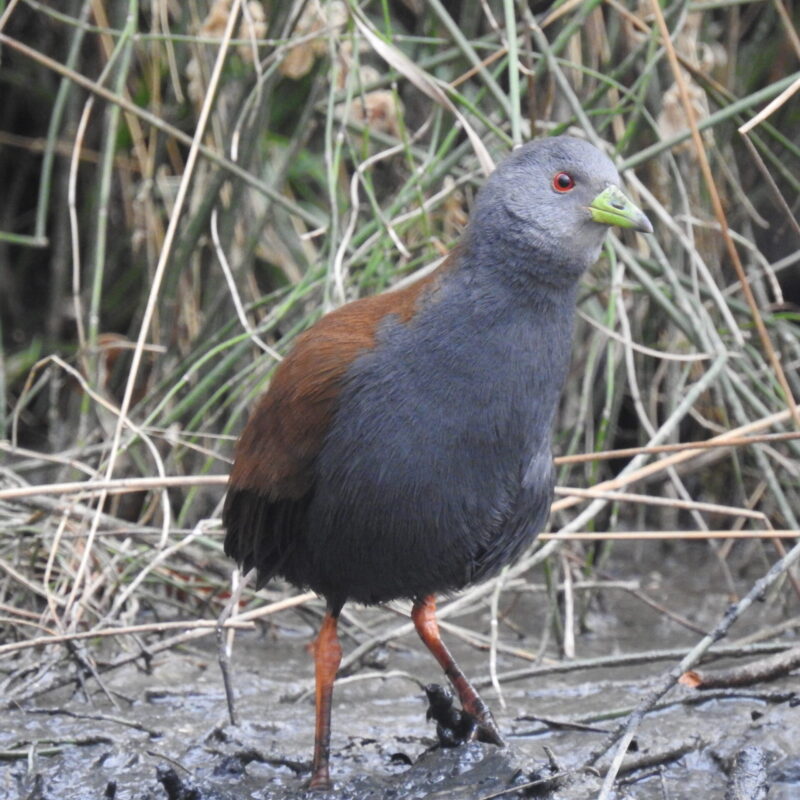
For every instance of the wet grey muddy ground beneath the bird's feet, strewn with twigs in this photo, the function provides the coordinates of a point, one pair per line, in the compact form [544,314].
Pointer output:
[169,735]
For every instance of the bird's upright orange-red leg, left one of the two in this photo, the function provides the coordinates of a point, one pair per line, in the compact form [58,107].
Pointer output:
[327,657]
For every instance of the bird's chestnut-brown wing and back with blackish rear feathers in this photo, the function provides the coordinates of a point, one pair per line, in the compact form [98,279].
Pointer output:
[272,479]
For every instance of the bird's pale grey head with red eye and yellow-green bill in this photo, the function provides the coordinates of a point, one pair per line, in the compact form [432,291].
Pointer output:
[552,200]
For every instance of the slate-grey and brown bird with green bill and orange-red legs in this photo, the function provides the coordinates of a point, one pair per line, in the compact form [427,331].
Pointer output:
[403,447]
